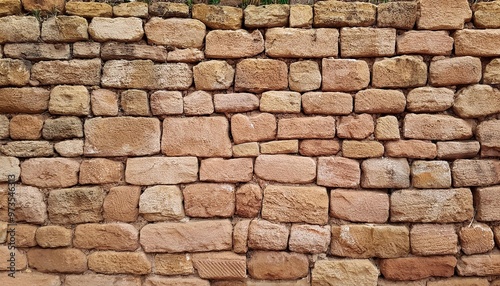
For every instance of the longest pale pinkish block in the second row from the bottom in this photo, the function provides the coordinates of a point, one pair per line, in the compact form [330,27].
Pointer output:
[199,236]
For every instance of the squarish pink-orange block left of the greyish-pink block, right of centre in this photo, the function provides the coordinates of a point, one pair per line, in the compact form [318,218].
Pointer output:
[338,172]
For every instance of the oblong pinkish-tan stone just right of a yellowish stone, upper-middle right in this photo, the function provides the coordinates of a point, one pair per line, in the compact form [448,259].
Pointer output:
[327,103]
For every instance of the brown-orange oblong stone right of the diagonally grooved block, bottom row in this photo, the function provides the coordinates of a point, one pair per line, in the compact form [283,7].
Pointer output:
[271,265]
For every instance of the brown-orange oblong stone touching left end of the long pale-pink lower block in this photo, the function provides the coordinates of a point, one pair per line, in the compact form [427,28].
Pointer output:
[111,236]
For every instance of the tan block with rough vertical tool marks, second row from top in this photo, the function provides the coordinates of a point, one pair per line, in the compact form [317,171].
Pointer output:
[367,42]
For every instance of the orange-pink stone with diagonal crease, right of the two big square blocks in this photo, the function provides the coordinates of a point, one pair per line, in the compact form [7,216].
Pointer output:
[259,127]
